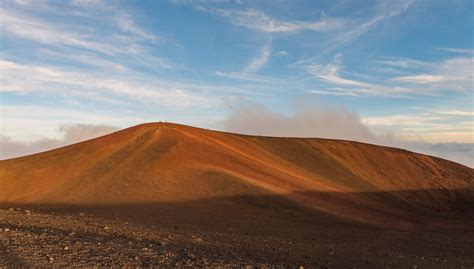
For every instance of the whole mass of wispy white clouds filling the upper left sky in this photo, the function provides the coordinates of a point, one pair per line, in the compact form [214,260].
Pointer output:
[114,56]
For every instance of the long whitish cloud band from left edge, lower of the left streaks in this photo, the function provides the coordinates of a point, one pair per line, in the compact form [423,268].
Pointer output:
[51,80]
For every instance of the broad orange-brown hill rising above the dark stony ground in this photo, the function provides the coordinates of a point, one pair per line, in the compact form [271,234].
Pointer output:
[164,162]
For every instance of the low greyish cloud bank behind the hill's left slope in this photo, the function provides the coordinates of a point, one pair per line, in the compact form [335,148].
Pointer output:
[71,133]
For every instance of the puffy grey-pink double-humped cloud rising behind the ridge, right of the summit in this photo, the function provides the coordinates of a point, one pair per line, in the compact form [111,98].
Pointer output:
[307,121]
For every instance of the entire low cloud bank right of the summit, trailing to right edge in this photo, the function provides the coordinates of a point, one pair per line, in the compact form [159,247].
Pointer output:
[328,122]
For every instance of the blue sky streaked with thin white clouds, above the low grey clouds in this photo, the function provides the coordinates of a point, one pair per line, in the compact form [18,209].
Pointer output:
[403,68]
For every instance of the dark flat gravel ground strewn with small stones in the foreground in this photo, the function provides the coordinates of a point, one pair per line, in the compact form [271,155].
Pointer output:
[48,238]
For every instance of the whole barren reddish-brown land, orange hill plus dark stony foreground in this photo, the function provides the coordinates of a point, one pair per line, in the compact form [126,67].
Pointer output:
[168,194]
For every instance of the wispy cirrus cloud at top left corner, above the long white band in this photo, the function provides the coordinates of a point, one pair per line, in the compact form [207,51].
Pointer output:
[126,42]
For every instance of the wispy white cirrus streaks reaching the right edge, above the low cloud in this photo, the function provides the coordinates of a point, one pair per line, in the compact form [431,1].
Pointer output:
[453,74]
